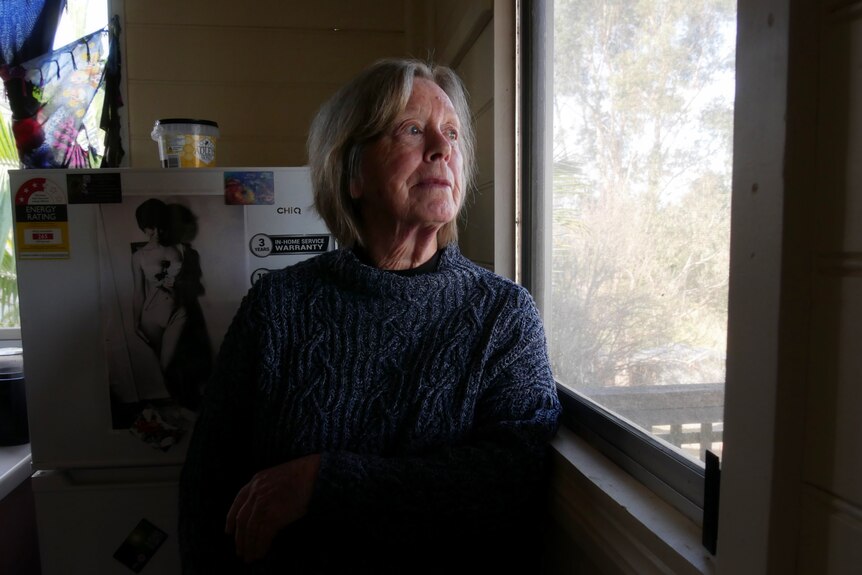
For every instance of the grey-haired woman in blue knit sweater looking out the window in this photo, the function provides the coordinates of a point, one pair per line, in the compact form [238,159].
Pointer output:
[385,407]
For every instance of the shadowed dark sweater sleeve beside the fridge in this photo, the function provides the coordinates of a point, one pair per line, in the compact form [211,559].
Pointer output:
[217,462]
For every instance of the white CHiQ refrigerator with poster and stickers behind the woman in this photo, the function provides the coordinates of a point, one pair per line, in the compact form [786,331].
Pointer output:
[128,280]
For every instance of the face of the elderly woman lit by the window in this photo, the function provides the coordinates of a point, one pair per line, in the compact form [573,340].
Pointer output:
[411,175]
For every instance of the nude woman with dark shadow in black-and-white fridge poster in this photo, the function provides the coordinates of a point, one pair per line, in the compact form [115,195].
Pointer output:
[177,358]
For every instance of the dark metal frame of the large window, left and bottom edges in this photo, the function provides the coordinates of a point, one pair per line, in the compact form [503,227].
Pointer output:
[671,475]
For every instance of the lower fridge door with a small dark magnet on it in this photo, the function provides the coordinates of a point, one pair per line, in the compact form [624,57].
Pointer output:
[107,522]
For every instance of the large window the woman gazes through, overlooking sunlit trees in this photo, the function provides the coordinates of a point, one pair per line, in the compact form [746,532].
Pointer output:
[628,118]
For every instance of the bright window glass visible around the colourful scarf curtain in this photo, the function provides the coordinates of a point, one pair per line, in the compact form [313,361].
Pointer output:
[80,17]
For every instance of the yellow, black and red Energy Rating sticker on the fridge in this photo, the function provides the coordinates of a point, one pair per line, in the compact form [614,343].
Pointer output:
[41,220]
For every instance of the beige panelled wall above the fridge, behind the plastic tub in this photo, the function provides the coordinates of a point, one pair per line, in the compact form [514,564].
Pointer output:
[260,69]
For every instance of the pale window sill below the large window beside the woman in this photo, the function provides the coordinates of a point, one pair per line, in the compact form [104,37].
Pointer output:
[614,523]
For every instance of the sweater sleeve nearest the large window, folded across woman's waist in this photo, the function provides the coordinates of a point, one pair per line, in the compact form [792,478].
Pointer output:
[482,484]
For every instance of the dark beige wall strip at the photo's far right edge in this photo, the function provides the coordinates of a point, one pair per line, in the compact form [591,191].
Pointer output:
[831,481]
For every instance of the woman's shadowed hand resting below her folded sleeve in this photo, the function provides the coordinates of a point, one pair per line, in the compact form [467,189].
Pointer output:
[273,499]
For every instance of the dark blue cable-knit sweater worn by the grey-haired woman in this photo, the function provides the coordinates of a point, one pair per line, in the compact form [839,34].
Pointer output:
[430,398]
